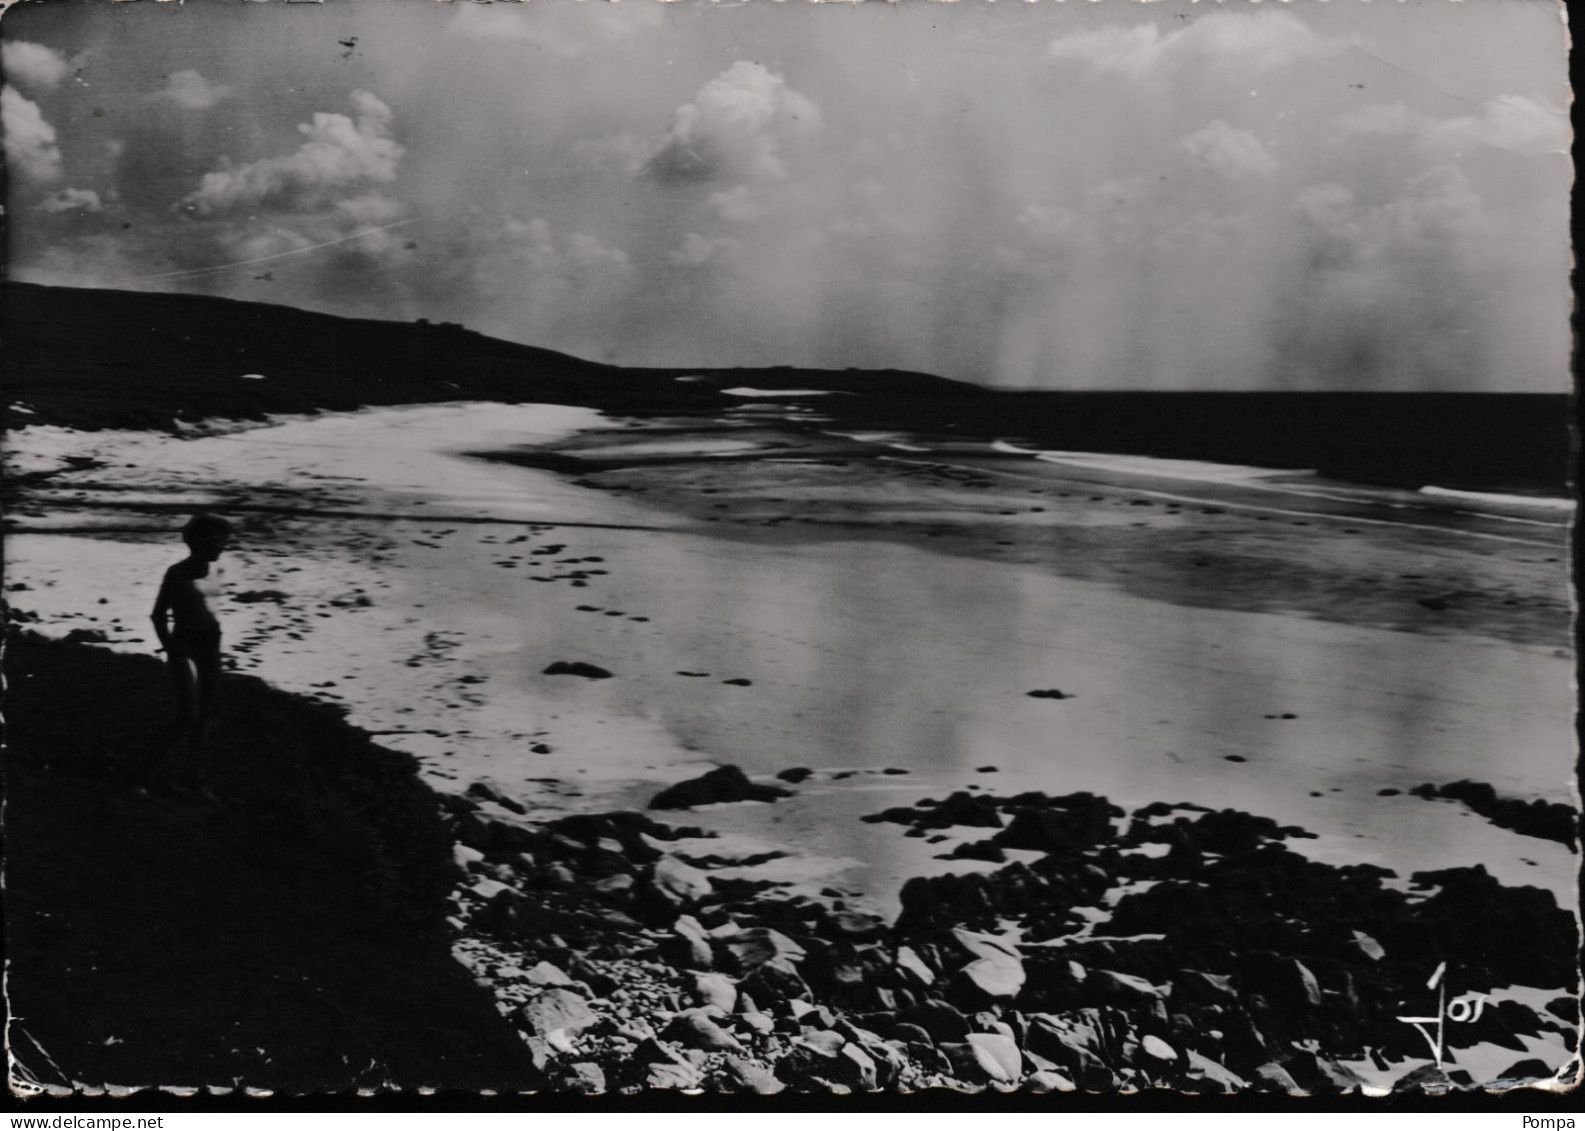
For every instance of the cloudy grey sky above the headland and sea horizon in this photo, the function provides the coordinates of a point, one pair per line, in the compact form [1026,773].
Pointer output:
[1307,196]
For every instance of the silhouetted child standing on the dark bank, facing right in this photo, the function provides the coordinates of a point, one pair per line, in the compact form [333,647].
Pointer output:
[191,636]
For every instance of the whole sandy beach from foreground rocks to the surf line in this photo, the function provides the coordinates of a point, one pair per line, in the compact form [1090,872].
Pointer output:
[885,614]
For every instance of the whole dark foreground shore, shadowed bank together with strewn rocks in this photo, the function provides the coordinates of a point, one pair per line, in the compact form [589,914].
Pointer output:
[1085,948]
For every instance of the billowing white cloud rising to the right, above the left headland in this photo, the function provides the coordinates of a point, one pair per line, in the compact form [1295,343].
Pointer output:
[340,156]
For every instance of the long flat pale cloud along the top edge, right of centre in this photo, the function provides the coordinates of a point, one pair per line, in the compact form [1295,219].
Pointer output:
[1269,40]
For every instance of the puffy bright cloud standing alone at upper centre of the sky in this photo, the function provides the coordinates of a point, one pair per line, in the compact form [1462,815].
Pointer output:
[738,128]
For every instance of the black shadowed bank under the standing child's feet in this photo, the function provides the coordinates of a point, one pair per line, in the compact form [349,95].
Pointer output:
[291,935]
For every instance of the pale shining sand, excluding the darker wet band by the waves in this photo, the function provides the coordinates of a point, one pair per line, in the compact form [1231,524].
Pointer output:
[861,653]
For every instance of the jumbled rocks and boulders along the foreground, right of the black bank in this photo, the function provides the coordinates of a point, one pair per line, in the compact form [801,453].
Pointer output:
[1172,948]
